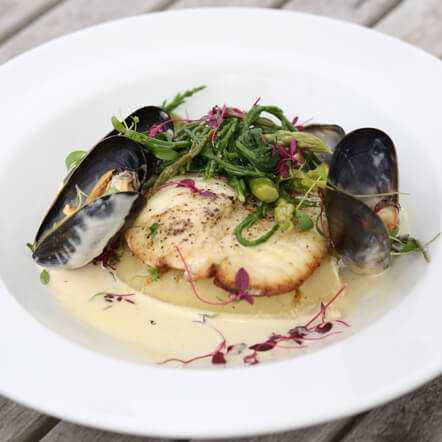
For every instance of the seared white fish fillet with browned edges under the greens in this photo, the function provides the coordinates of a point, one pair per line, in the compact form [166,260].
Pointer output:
[201,227]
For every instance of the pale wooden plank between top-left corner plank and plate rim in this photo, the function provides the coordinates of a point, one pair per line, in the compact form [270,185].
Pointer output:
[72,15]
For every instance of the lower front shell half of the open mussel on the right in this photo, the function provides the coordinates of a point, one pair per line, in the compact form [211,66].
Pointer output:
[357,233]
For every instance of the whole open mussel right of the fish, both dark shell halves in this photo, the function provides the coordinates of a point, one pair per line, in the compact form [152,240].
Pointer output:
[365,205]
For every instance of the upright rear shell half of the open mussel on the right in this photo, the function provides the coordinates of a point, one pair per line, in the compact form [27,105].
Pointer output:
[365,163]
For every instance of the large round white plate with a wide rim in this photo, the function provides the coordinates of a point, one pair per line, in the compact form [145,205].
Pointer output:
[60,96]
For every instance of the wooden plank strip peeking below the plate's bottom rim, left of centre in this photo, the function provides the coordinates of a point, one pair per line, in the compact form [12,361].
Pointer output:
[66,432]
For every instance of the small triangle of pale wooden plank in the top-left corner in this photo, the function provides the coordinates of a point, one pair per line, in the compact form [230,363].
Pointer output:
[16,14]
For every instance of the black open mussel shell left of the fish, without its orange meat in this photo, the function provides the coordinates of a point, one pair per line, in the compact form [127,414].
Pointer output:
[73,241]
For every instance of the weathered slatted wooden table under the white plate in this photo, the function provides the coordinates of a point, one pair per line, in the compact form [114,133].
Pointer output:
[27,23]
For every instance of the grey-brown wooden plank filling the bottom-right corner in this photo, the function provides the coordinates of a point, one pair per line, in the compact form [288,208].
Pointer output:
[415,417]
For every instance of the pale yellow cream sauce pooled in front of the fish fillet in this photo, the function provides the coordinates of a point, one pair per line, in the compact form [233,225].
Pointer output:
[163,319]
